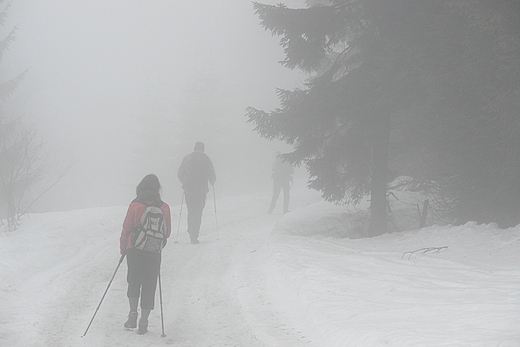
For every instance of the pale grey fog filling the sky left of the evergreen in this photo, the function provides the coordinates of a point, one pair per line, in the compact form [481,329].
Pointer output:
[114,88]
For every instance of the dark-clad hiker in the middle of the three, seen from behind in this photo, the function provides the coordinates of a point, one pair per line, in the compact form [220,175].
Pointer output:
[195,171]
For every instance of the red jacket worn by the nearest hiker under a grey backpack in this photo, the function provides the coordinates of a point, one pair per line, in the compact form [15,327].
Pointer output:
[133,218]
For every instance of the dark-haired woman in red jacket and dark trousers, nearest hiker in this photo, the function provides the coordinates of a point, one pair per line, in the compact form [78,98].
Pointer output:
[143,264]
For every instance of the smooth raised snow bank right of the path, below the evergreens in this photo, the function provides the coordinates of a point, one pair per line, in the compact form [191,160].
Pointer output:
[371,292]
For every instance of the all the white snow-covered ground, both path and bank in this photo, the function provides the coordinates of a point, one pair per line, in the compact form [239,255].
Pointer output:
[268,280]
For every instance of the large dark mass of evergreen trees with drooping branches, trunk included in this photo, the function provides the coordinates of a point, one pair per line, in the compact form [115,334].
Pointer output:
[427,88]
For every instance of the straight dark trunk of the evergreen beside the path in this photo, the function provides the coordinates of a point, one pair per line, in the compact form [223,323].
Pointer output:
[378,214]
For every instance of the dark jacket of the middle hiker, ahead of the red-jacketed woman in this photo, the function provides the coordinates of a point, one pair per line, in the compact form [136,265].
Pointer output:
[195,171]
